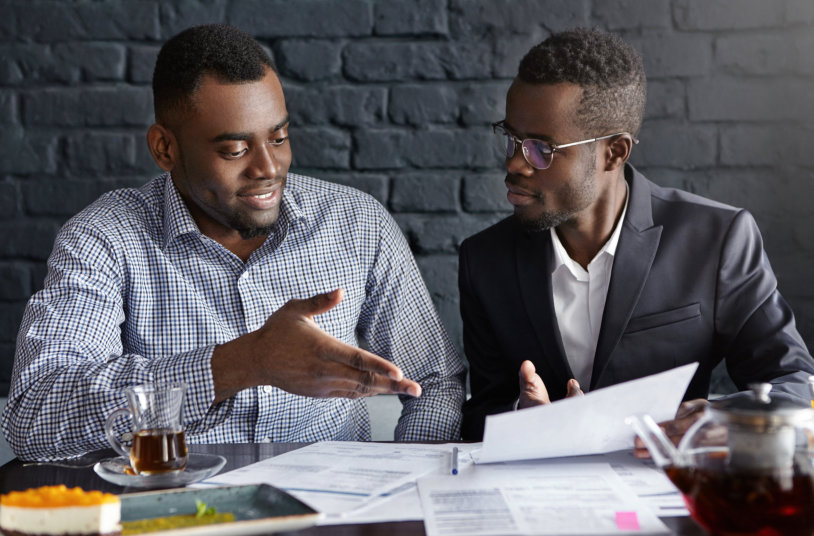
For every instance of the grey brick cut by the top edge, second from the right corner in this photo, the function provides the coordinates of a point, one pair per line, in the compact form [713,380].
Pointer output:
[726,14]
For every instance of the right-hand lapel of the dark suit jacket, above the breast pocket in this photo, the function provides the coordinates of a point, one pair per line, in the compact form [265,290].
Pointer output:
[638,244]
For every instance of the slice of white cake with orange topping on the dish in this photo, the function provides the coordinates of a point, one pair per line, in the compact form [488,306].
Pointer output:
[55,510]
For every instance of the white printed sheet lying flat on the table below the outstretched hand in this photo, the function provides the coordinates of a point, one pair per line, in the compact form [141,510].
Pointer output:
[353,482]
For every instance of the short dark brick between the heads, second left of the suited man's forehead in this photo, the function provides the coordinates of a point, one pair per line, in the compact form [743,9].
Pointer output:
[423,104]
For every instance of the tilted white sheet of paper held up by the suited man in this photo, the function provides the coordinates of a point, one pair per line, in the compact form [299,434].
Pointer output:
[589,424]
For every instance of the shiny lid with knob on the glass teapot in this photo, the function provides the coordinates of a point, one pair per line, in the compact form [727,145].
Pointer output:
[761,410]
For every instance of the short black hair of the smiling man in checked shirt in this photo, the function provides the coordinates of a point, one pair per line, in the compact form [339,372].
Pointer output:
[220,50]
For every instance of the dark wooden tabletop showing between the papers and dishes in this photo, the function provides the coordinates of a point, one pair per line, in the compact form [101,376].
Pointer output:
[17,475]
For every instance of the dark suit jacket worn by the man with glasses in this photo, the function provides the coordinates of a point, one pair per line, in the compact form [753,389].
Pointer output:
[690,282]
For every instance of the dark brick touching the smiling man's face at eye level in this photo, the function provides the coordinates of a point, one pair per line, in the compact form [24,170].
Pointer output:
[320,147]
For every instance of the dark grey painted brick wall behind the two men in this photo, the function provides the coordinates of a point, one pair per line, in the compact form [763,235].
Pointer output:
[395,97]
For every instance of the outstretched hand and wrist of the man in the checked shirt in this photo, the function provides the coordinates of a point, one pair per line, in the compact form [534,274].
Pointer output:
[291,352]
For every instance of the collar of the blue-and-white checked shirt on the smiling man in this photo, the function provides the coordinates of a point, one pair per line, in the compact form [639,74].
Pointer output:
[178,220]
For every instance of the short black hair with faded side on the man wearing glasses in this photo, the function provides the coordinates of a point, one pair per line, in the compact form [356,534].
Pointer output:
[609,71]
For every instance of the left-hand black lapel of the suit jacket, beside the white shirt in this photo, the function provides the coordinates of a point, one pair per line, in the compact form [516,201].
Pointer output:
[534,252]
